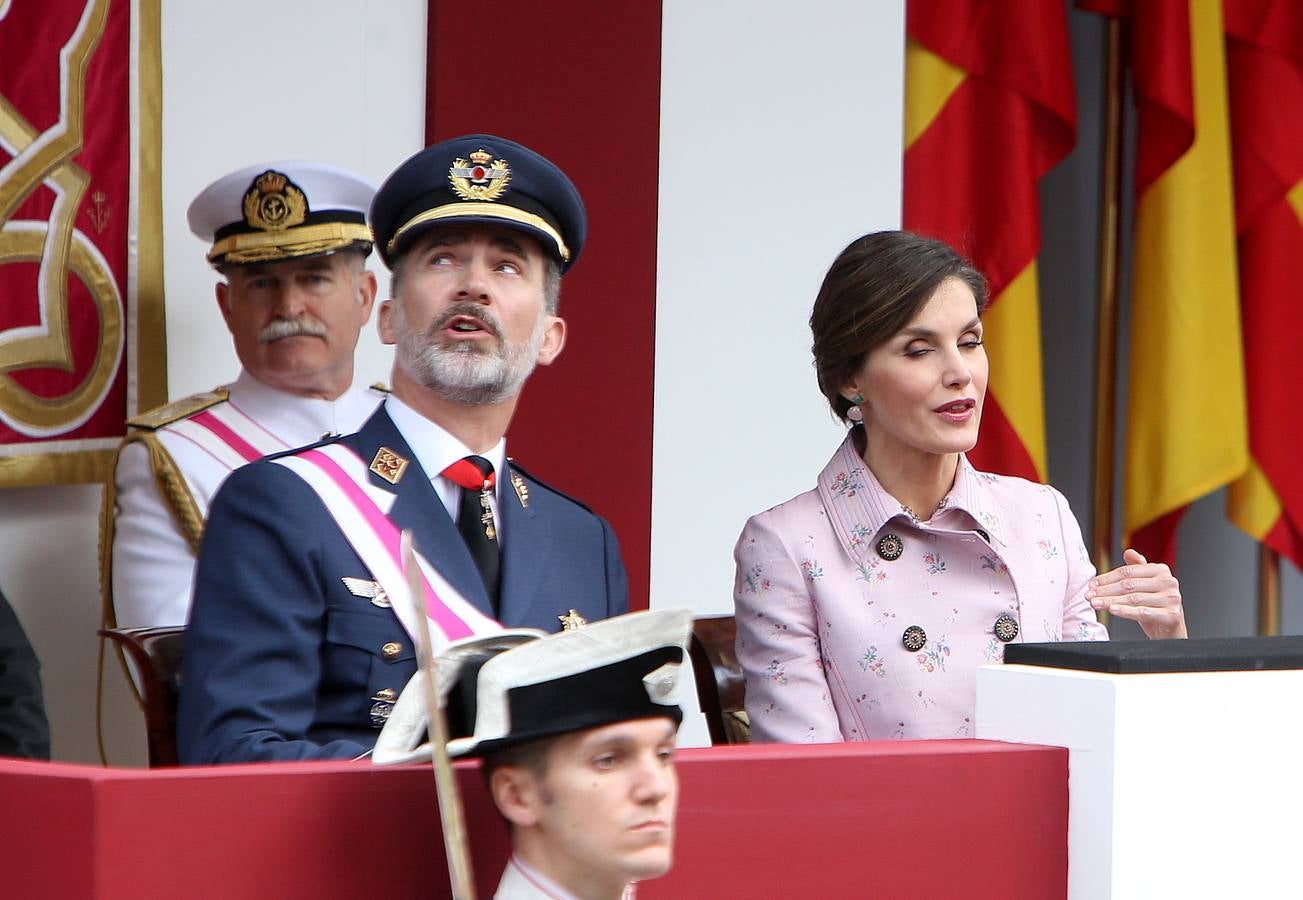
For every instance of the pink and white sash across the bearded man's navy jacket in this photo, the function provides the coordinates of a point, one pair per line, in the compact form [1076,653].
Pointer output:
[341,480]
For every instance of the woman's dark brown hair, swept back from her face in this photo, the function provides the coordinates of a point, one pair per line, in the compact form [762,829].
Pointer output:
[874,290]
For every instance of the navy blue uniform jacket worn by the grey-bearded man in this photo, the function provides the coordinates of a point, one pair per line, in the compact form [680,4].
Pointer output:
[283,662]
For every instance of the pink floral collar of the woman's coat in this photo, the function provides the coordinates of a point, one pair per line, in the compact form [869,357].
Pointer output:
[858,506]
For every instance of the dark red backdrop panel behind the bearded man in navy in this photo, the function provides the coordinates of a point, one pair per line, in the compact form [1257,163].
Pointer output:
[584,91]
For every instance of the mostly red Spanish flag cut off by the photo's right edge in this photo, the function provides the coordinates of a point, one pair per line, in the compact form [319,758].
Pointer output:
[1265,59]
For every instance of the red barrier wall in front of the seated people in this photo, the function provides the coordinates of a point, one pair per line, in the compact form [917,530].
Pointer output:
[893,820]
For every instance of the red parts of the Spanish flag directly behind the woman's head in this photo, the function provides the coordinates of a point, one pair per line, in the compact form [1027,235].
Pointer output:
[971,176]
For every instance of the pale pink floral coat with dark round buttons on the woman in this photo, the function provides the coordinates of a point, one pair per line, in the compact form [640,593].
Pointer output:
[857,622]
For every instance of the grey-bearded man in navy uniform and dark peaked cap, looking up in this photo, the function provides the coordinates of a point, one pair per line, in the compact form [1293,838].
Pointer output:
[295,649]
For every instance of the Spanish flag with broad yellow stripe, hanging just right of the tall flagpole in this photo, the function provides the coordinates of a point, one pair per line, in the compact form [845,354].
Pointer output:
[1188,432]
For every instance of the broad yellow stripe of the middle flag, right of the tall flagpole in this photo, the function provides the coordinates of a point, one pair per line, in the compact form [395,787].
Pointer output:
[1188,429]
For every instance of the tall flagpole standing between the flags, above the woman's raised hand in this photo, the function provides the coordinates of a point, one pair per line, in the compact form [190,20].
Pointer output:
[1111,277]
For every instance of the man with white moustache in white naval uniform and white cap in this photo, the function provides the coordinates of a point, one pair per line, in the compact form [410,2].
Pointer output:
[291,242]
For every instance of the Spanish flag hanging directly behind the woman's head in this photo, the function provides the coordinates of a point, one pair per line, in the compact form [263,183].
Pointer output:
[990,109]
